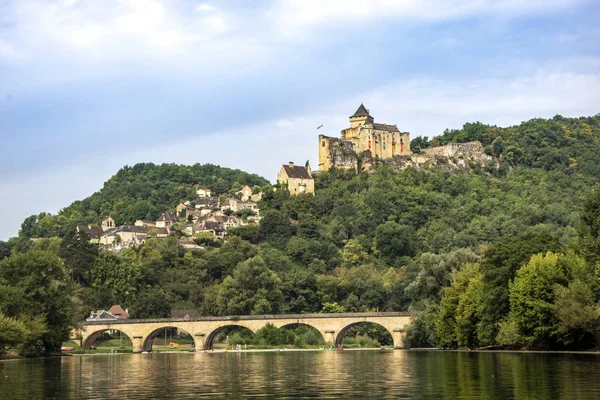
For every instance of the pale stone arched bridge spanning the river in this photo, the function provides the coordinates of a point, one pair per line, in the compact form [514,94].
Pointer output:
[204,330]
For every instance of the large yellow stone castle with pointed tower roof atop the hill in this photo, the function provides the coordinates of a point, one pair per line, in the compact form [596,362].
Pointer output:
[381,140]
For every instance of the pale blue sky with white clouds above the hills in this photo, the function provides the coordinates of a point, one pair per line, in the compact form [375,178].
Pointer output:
[88,86]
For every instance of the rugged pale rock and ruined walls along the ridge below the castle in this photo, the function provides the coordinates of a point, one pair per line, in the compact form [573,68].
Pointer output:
[454,157]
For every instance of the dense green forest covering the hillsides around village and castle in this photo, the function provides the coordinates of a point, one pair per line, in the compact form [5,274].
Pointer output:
[503,257]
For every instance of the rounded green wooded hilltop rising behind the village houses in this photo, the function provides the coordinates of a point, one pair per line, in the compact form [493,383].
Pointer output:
[143,191]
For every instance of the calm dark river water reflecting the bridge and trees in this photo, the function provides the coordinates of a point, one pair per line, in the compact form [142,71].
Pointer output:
[325,374]
